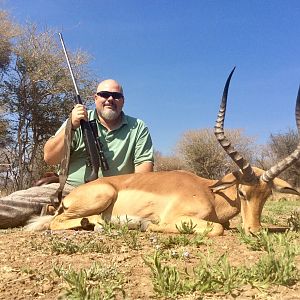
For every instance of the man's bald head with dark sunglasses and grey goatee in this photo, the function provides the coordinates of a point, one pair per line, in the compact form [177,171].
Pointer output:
[109,100]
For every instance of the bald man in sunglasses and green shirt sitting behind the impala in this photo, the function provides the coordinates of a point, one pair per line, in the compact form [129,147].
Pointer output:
[127,146]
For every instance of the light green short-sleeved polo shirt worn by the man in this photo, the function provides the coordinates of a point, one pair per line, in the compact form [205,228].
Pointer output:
[124,148]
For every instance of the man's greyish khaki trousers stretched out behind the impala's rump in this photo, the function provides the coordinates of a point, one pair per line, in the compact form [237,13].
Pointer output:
[17,208]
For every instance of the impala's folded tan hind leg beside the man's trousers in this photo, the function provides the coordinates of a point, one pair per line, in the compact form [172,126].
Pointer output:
[88,202]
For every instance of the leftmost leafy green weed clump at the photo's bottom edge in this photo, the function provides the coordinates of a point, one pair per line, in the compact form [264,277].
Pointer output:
[94,283]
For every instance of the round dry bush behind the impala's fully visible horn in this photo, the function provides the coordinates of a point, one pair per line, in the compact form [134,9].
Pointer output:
[202,154]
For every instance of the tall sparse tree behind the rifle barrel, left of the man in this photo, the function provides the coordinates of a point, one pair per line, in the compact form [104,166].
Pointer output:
[36,93]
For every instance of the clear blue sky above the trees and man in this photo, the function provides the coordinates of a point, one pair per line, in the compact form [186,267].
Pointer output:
[173,57]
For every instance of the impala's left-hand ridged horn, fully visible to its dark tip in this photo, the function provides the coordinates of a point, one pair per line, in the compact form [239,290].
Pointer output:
[245,167]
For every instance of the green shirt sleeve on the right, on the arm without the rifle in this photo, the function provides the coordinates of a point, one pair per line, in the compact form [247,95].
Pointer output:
[143,146]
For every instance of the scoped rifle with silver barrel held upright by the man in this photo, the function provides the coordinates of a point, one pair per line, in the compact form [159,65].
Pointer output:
[91,139]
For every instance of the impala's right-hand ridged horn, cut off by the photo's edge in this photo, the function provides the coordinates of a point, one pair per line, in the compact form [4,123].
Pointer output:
[289,160]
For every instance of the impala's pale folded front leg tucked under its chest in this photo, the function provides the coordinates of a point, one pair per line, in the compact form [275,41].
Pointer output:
[201,226]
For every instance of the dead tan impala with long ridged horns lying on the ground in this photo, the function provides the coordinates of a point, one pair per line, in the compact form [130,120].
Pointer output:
[161,201]
